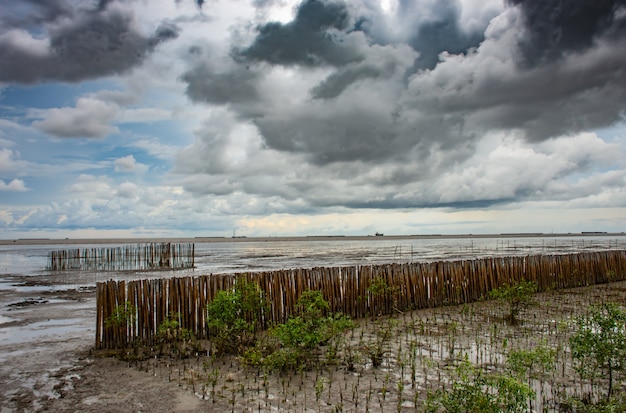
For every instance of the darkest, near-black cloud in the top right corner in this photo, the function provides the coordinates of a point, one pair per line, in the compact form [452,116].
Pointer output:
[556,27]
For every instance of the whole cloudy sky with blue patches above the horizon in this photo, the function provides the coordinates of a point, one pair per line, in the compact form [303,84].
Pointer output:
[153,118]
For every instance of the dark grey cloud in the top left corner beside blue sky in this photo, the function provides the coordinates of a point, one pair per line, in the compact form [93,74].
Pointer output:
[93,43]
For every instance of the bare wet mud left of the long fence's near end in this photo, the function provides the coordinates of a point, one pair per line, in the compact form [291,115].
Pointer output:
[47,362]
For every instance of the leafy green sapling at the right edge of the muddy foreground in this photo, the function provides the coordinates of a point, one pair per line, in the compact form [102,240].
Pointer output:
[599,343]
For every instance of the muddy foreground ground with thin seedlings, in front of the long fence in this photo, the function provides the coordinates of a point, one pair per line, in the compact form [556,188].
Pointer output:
[40,372]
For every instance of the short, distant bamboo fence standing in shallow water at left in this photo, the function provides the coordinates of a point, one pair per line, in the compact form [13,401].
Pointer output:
[153,256]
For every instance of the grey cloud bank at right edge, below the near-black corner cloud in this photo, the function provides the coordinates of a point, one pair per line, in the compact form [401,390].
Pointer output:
[557,98]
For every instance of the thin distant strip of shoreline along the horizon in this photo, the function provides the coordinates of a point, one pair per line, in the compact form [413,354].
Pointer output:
[139,240]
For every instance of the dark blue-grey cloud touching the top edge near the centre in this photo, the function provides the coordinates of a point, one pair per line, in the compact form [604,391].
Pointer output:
[307,41]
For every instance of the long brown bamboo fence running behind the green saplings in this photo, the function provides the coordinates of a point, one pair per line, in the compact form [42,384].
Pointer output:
[410,286]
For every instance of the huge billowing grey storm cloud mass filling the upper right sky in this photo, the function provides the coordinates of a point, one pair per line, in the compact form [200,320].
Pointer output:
[412,92]
